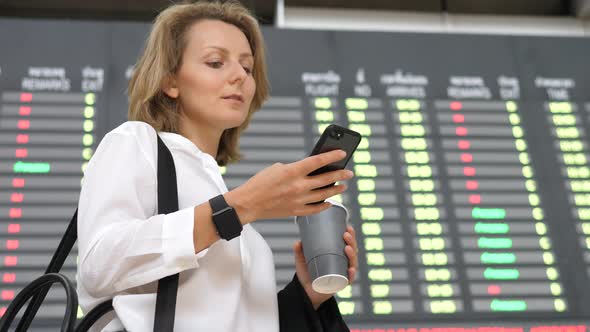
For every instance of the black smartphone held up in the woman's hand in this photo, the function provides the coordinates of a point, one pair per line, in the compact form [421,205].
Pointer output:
[335,137]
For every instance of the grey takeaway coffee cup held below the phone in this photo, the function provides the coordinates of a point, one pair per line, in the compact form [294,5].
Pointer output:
[323,247]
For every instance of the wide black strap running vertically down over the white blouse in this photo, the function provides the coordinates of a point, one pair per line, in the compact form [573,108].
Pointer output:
[167,203]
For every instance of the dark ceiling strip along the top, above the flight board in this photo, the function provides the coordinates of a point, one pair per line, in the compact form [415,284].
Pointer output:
[145,10]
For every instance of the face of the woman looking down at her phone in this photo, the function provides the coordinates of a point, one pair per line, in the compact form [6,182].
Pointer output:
[214,84]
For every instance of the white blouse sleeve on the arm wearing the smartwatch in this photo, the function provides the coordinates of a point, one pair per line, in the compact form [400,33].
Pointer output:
[123,242]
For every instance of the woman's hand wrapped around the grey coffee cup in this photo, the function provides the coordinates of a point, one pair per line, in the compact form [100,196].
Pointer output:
[350,249]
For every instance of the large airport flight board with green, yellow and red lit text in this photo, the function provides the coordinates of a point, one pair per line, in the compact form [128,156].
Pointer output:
[471,195]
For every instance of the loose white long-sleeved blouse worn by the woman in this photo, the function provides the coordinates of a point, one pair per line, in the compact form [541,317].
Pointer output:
[125,246]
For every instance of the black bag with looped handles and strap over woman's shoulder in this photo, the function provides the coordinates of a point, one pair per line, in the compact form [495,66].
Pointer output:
[38,289]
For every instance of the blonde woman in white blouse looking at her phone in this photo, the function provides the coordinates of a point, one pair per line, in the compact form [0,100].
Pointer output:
[201,77]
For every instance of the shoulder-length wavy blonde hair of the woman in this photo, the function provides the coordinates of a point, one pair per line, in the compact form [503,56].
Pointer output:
[162,57]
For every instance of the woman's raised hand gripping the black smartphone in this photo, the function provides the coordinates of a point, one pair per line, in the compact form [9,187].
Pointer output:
[284,190]
